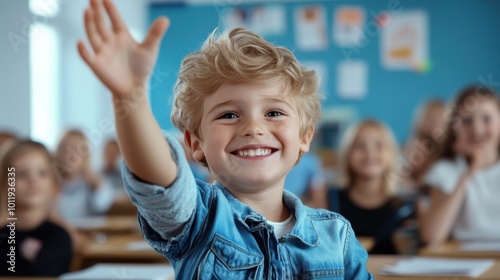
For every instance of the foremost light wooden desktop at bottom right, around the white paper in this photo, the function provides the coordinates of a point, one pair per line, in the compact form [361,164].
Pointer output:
[376,262]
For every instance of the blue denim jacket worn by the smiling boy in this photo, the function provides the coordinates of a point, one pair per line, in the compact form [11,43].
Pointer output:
[206,233]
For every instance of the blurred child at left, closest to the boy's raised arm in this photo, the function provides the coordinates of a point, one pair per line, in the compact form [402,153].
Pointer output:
[111,168]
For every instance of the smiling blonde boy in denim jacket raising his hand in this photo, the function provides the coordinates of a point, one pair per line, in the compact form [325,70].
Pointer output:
[247,110]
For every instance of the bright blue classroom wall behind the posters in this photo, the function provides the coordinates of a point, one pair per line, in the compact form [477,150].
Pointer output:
[464,49]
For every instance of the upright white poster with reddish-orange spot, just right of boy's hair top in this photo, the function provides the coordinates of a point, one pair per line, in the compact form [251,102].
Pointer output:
[310,28]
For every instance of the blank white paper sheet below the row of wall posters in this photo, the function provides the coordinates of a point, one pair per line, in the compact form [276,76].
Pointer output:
[352,79]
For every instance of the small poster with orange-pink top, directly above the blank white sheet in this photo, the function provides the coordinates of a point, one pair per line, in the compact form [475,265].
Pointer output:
[348,23]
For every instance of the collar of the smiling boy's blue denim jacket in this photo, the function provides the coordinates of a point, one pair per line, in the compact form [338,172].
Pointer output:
[303,229]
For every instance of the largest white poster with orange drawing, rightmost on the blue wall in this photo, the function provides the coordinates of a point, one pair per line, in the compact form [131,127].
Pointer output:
[405,41]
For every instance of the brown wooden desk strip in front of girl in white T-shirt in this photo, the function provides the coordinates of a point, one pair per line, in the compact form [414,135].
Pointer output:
[452,250]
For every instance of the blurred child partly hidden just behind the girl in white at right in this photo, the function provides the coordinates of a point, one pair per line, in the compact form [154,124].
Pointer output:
[421,150]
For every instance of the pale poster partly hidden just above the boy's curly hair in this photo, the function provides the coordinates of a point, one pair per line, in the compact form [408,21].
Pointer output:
[264,20]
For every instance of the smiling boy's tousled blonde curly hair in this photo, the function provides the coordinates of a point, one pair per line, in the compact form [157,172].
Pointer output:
[241,56]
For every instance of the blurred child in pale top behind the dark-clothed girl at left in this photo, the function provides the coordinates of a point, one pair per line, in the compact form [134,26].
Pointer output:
[83,192]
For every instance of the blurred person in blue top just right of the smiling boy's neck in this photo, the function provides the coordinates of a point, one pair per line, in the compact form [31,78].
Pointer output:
[307,181]
